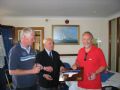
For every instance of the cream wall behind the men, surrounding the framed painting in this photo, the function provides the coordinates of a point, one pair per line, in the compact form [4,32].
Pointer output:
[98,26]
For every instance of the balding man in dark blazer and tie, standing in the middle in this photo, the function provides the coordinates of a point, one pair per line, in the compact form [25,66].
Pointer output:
[49,77]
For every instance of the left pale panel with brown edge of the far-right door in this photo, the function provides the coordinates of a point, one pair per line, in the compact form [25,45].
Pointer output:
[112,44]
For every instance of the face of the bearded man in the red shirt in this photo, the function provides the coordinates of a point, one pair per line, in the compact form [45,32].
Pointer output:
[87,40]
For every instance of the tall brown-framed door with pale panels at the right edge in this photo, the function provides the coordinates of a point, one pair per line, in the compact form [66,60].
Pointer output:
[114,45]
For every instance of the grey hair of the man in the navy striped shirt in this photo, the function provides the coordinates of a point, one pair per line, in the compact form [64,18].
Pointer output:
[26,32]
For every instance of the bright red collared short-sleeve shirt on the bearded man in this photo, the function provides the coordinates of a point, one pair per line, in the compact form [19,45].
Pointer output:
[94,60]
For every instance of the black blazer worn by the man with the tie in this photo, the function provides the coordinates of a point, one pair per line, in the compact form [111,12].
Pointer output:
[44,59]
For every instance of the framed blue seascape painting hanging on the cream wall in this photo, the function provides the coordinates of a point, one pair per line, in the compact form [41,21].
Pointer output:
[66,34]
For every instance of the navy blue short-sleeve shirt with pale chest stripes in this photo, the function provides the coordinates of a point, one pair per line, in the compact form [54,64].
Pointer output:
[20,58]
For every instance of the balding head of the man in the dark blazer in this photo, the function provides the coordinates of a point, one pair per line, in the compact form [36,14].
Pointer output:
[48,44]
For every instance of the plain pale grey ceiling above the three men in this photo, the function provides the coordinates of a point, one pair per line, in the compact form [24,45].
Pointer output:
[69,8]
